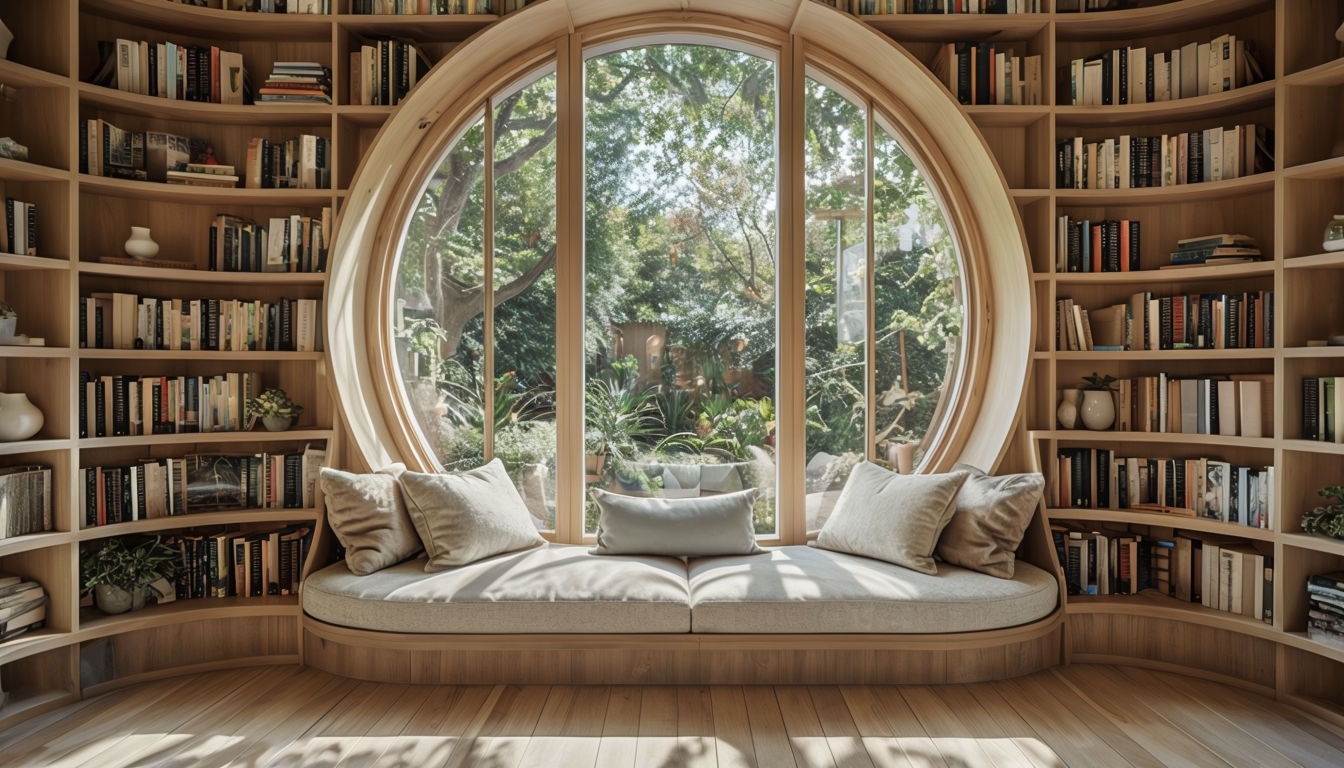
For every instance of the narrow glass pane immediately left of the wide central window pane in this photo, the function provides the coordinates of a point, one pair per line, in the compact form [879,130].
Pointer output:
[525,294]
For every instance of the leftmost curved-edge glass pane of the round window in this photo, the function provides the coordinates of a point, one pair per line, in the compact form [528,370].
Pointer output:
[437,330]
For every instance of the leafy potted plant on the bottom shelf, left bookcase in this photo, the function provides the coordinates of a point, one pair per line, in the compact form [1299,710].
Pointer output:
[122,572]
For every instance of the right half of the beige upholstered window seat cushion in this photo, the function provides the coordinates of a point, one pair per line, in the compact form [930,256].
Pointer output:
[807,590]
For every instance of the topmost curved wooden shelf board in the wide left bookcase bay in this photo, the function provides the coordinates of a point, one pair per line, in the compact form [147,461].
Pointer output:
[222,25]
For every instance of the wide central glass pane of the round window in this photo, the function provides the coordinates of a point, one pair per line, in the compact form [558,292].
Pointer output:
[681,274]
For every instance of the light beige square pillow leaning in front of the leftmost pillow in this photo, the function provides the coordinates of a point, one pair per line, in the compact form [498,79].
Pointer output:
[463,517]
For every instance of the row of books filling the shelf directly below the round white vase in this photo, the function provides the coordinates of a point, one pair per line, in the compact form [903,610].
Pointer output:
[131,322]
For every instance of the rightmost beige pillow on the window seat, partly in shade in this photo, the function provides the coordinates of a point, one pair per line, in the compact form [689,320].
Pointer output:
[991,519]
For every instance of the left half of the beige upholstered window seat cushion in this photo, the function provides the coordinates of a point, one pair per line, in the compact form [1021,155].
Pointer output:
[554,588]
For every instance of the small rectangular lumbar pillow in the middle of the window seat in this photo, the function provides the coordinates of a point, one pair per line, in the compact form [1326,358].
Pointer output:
[697,527]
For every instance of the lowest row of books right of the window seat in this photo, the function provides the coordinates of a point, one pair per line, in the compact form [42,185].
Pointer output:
[1217,572]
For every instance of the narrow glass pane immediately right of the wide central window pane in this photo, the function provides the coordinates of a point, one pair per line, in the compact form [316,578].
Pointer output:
[837,305]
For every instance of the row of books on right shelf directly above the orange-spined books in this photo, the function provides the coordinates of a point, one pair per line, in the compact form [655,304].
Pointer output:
[1163,161]
